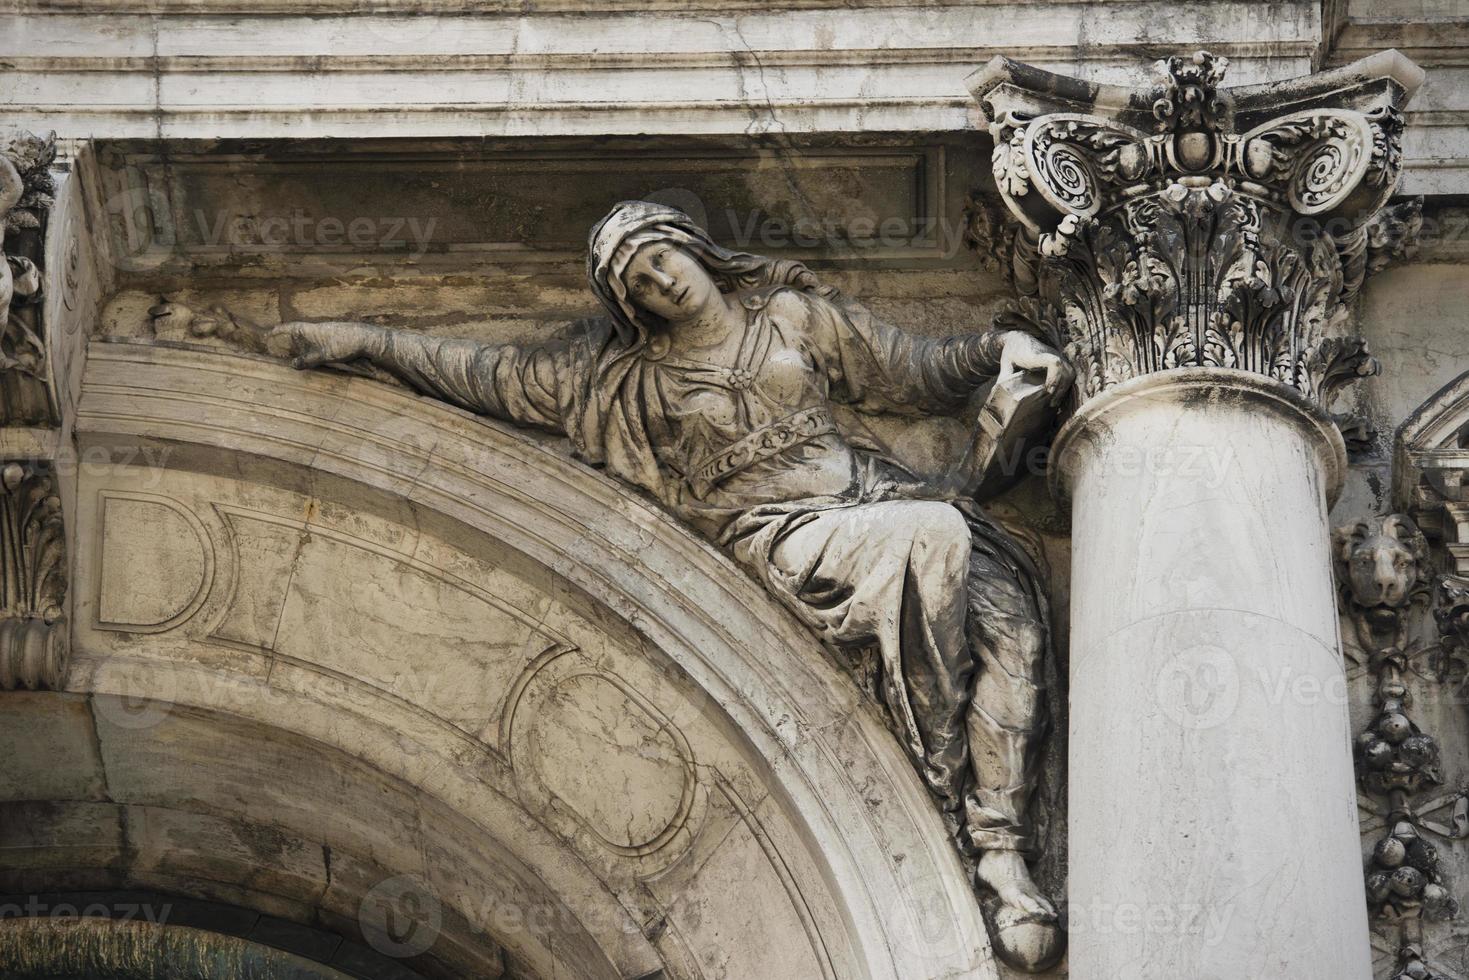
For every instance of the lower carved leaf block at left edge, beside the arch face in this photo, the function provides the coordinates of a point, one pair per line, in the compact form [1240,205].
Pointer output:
[33,580]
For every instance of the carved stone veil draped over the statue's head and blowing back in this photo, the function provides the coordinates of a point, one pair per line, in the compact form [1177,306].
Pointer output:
[632,226]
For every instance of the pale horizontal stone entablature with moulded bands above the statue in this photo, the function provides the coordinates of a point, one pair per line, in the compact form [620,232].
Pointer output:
[578,67]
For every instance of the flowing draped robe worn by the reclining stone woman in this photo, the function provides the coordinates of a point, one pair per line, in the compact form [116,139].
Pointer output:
[865,553]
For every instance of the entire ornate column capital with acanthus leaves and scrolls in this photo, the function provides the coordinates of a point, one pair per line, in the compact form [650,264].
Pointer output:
[1197,227]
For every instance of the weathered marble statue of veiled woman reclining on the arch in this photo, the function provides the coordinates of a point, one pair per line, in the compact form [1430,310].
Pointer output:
[710,384]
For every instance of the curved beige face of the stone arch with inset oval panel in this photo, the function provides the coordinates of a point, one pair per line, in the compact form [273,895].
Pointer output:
[687,744]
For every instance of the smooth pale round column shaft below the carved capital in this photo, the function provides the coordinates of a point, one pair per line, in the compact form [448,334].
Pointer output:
[1213,804]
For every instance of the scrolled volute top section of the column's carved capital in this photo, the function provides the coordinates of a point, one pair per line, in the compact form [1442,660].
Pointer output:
[1314,159]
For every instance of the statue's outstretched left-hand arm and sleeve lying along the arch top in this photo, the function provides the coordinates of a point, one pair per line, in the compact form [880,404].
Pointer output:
[527,386]
